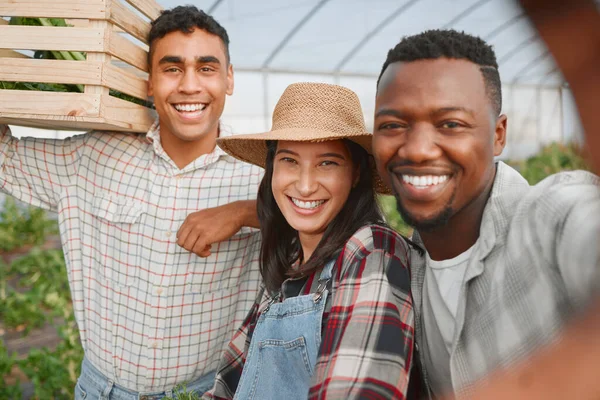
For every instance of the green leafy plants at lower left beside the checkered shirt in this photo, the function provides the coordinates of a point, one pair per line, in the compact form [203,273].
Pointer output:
[34,291]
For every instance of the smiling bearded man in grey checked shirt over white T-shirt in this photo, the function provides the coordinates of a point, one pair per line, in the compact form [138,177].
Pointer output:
[507,265]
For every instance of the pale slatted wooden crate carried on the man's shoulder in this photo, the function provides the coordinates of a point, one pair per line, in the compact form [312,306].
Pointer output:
[104,30]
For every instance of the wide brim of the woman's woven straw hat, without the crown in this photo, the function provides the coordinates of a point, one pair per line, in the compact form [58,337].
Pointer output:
[252,148]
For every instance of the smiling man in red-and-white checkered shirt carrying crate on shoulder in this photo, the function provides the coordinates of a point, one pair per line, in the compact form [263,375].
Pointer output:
[151,313]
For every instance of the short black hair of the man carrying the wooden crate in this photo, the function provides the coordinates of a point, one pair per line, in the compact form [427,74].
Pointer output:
[185,19]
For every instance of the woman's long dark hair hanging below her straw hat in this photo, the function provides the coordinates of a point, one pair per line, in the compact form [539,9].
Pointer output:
[280,242]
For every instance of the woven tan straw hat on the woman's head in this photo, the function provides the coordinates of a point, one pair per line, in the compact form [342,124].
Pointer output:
[308,112]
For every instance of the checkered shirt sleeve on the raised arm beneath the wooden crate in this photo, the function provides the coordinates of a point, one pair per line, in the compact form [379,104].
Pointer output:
[37,171]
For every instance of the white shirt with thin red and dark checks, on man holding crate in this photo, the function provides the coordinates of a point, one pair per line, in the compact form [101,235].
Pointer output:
[151,314]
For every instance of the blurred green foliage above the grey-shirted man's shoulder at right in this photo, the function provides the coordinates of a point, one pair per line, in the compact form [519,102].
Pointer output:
[553,158]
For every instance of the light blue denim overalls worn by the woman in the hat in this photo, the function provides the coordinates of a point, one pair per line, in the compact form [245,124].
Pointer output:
[284,347]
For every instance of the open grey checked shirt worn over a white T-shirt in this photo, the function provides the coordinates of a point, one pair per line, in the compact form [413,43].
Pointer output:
[535,266]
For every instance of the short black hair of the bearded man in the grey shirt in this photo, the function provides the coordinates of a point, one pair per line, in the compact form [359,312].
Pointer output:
[448,43]
